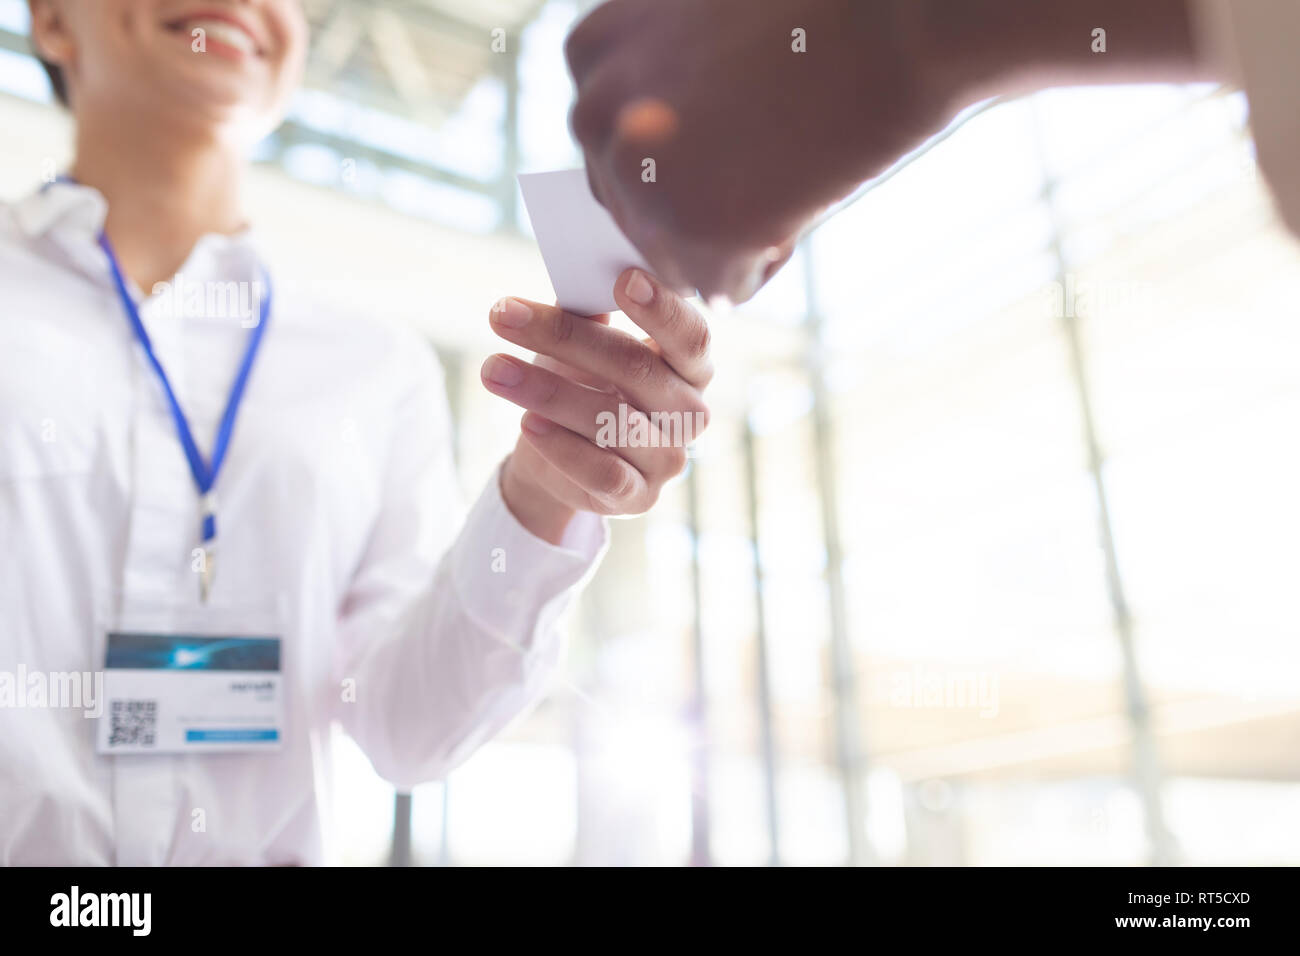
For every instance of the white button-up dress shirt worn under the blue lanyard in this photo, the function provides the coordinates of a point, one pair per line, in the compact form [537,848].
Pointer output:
[339,499]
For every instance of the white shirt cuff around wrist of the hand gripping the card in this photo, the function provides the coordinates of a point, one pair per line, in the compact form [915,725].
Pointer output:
[512,582]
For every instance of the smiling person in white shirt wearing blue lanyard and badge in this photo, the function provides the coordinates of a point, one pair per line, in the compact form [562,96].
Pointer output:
[272,495]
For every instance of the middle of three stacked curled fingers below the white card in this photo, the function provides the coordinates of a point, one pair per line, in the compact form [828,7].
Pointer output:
[592,416]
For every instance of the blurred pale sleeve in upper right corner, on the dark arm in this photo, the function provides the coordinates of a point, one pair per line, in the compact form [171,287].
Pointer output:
[1254,45]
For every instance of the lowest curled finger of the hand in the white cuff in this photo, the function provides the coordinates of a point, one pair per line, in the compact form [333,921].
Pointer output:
[613,486]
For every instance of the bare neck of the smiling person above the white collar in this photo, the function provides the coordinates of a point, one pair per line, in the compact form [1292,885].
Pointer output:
[164,193]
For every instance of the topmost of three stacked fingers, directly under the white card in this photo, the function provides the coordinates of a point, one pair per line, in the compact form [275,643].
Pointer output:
[600,352]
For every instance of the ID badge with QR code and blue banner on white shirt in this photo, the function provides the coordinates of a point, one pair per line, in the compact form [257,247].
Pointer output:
[187,680]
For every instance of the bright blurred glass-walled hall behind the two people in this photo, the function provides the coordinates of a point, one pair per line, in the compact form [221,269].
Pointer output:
[990,555]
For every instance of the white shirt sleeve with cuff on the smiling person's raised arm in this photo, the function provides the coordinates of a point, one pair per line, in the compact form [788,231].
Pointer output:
[444,639]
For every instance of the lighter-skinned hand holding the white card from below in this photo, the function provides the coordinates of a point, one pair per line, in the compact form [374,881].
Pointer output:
[574,453]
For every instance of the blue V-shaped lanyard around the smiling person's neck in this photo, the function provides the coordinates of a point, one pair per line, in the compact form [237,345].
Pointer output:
[205,473]
